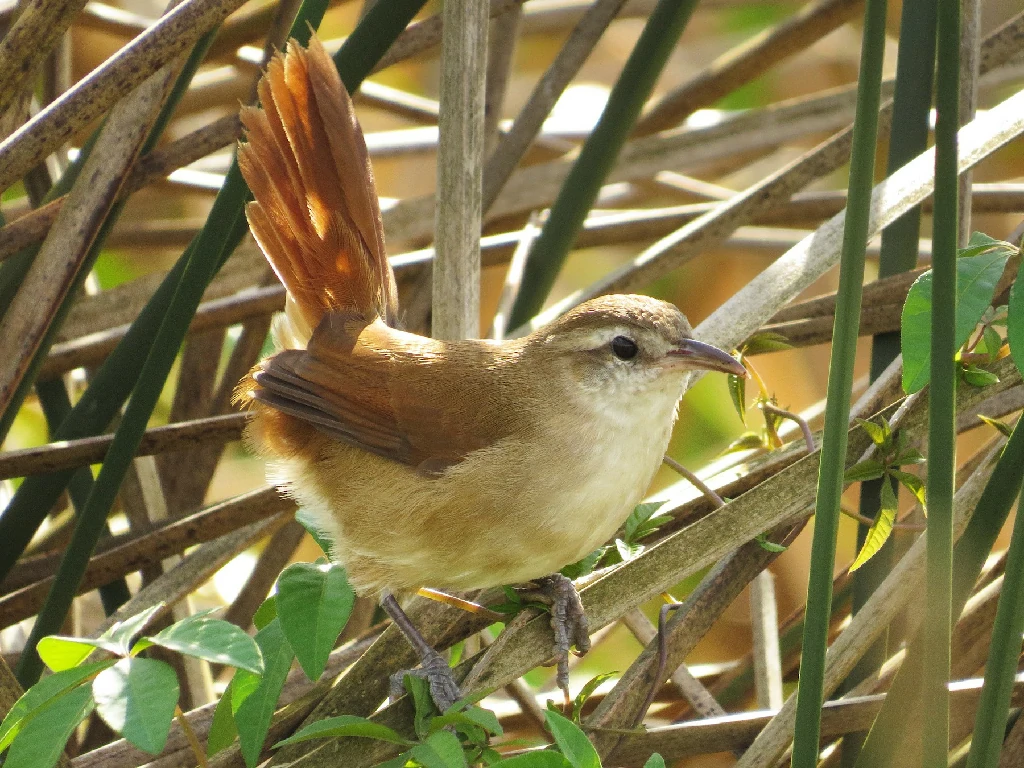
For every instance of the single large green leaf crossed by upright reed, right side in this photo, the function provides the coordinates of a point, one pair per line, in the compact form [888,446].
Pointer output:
[976,279]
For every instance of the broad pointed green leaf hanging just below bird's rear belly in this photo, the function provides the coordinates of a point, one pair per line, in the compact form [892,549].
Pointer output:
[314,604]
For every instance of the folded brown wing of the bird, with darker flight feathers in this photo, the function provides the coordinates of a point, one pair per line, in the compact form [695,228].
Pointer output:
[380,391]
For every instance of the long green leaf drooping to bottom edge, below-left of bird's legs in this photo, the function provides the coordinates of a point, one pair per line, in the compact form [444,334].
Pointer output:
[253,715]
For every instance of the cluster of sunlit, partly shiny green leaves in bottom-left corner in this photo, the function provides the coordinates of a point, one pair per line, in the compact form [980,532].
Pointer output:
[136,697]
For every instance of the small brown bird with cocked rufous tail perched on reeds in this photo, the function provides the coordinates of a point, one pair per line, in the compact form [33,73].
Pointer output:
[449,464]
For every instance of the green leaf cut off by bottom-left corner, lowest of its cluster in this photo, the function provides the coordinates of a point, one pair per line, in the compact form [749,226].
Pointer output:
[42,740]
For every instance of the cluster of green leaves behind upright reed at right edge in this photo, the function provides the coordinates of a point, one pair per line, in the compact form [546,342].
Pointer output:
[979,268]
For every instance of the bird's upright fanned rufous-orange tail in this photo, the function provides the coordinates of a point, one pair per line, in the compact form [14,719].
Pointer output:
[316,215]
